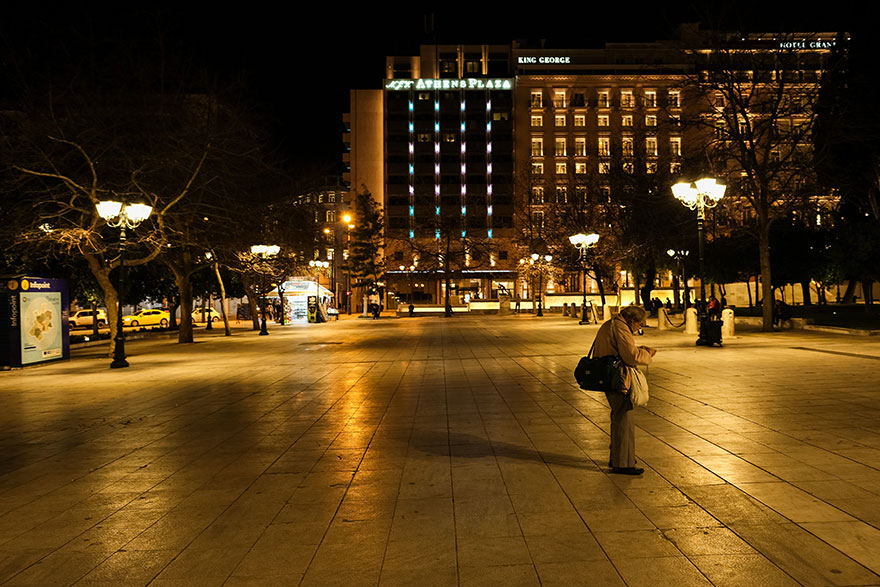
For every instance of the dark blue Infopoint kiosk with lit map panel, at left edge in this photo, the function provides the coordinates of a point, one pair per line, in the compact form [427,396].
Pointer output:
[34,313]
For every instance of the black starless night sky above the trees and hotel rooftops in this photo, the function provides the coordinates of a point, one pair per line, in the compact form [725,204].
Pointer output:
[294,65]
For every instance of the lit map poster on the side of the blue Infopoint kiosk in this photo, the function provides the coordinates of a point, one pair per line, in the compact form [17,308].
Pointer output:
[41,326]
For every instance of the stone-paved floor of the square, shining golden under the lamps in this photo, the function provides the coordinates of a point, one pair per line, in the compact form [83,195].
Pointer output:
[439,452]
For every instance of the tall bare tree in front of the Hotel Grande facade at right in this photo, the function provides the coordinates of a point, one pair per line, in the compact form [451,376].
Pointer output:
[753,101]
